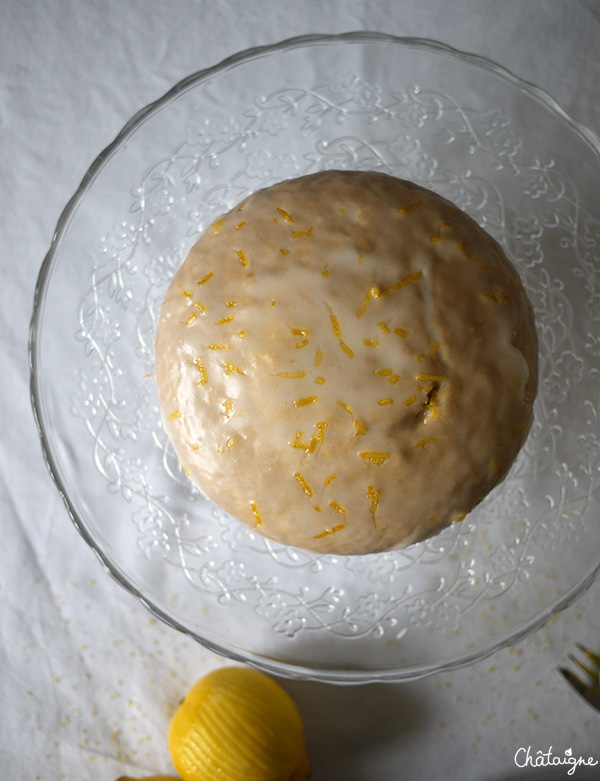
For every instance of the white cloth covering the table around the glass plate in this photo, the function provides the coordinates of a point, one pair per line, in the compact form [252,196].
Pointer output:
[88,678]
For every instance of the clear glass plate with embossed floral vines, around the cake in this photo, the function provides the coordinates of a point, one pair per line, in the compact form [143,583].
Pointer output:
[501,150]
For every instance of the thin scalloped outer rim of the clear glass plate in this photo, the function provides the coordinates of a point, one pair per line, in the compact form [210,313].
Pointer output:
[341,676]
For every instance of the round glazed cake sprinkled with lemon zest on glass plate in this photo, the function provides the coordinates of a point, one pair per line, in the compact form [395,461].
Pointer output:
[346,362]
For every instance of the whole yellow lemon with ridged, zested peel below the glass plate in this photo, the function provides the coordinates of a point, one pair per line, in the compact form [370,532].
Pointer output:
[238,724]
